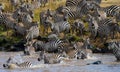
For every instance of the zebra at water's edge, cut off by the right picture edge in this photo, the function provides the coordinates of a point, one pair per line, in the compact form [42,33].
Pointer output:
[115,47]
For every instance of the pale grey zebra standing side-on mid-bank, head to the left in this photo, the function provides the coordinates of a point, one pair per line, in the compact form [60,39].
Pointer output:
[59,27]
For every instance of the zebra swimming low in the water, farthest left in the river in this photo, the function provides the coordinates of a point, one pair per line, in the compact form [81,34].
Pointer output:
[11,64]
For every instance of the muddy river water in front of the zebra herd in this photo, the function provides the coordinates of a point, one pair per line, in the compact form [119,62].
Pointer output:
[109,64]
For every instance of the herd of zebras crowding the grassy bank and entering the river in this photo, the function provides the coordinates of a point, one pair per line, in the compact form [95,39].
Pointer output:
[101,22]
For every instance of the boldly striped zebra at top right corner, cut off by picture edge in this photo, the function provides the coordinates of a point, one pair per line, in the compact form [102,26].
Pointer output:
[111,10]
